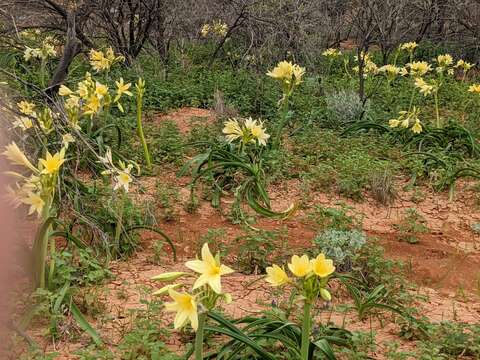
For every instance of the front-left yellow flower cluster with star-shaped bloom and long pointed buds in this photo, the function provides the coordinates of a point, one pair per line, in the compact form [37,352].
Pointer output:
[206,290]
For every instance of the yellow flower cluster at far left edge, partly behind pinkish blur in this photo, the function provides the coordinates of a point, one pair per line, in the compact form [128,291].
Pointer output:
[36,190]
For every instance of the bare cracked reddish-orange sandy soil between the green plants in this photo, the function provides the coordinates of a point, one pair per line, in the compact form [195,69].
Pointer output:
[445,263]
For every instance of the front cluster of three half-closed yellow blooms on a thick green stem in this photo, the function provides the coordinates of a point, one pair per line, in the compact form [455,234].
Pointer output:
[311,275]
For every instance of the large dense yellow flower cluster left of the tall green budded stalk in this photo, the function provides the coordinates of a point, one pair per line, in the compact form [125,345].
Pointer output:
[91,97]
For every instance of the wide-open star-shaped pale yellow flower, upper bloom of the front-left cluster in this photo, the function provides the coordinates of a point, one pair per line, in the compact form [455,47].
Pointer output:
[210,269]
